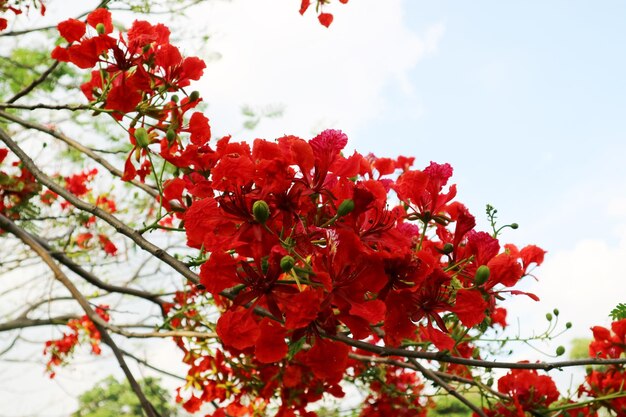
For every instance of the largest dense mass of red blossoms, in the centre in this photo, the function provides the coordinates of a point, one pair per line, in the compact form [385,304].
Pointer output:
[297,230]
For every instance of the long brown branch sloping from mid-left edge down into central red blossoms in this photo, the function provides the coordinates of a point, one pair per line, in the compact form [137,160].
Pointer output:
[116,223]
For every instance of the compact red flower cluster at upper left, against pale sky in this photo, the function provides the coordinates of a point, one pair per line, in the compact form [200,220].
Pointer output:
[138,69]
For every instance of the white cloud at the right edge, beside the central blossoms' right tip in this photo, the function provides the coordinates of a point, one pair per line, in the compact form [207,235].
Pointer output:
[584,278]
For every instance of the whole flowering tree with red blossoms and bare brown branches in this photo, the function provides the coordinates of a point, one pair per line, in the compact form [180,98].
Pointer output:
[302,270]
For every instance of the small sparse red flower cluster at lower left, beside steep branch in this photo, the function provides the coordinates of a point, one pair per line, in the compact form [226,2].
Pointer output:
[81,329]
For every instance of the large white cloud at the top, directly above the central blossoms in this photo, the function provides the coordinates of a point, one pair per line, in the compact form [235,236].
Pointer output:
[325,77]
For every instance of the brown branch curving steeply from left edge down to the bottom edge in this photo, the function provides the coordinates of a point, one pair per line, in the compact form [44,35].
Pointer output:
[100,324]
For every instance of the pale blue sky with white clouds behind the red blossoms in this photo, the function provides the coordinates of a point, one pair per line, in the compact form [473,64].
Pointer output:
[526,100]
